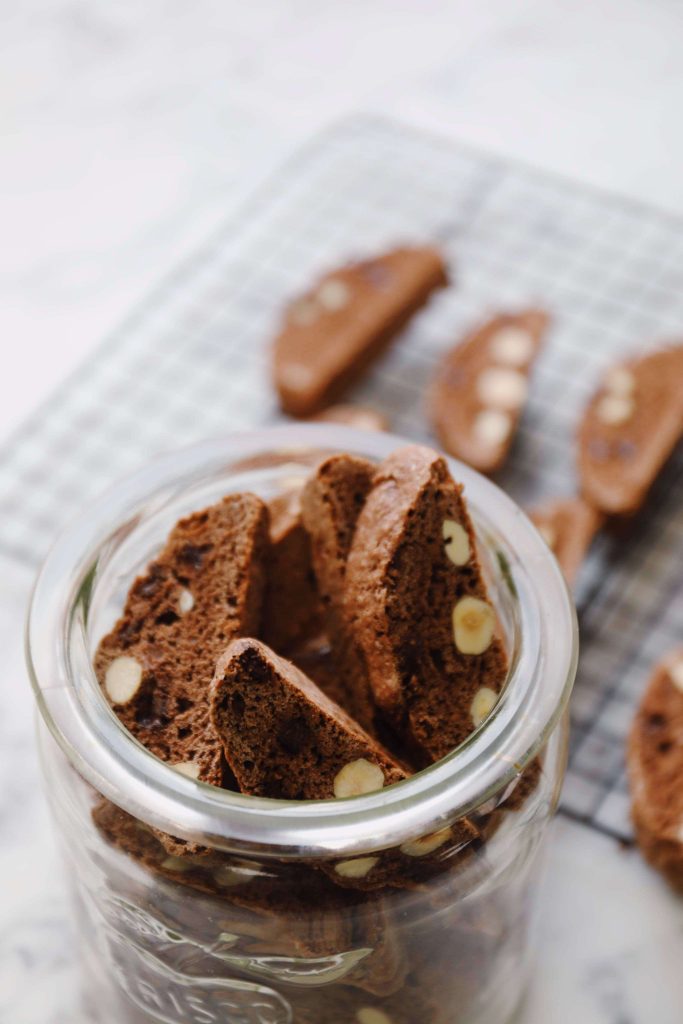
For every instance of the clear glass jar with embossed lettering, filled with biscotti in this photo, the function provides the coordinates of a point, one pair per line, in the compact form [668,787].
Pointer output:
[252,924]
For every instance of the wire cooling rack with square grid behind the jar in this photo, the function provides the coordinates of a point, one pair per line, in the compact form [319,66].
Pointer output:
[193,361]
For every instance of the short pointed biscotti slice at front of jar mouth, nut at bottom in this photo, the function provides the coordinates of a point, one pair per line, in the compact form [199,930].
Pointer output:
[283,738]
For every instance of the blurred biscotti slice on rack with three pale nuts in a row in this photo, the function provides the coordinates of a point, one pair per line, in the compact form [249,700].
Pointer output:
[482,386]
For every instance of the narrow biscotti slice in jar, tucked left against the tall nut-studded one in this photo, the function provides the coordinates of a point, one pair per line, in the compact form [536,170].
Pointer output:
[331,502]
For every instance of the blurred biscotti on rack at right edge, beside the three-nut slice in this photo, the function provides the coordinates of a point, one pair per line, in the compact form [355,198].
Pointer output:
[629,431]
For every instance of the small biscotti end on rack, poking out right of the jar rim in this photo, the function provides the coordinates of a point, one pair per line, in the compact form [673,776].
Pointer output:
[568,526]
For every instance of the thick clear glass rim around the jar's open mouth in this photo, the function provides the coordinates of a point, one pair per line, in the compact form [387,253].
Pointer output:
[110,758]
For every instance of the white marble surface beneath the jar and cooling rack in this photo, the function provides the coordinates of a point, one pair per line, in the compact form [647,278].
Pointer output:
[129,131]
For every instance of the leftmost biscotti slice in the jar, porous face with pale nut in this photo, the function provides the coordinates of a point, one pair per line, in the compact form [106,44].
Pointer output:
[204,589]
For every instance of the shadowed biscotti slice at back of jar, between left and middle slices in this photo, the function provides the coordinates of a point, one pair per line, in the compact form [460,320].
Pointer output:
[291,607]
